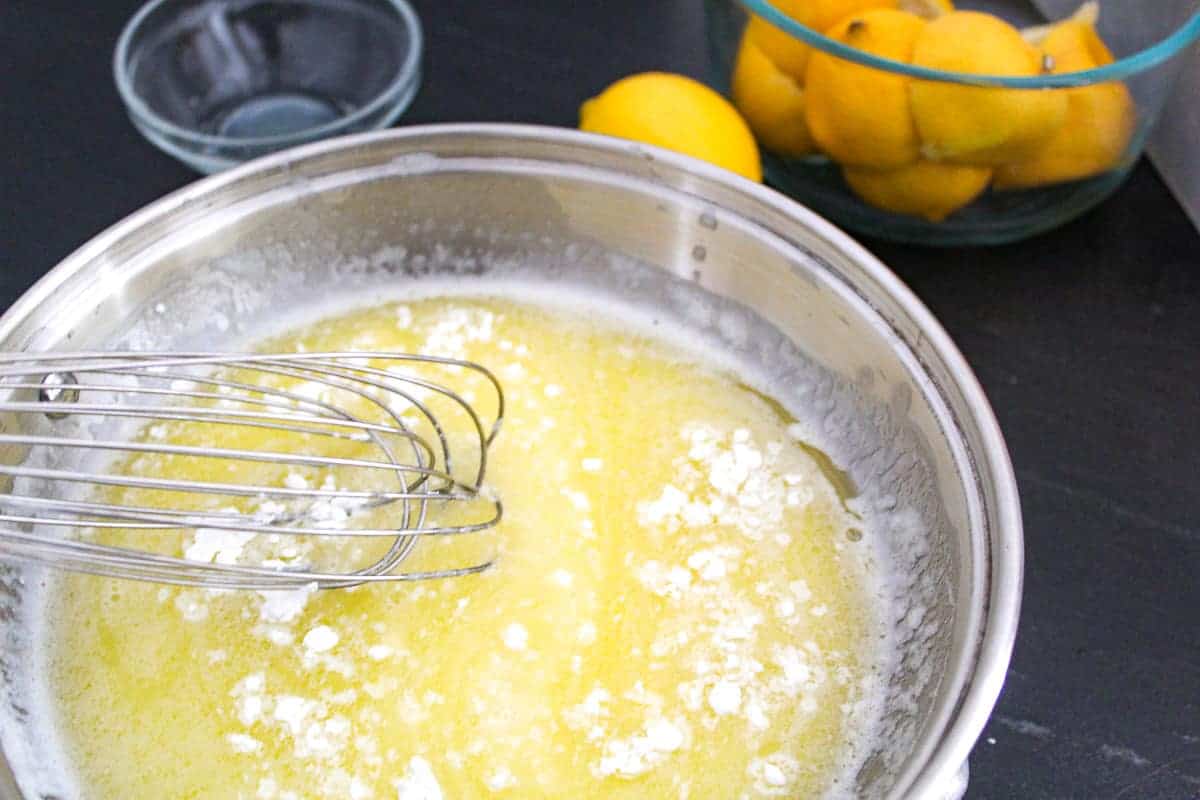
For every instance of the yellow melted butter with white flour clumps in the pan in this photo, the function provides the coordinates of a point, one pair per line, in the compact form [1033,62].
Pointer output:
[625,646]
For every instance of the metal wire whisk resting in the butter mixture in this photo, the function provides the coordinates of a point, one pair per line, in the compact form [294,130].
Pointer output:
[244,456]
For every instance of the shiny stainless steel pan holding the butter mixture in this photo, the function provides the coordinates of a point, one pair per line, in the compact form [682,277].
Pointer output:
[891,398]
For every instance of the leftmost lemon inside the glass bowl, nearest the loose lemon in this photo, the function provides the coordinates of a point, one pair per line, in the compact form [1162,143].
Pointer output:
[772,103]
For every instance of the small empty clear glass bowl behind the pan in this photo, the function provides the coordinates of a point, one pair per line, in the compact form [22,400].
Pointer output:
[215,83]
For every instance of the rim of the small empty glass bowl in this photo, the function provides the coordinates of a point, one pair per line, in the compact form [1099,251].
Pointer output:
[406,76]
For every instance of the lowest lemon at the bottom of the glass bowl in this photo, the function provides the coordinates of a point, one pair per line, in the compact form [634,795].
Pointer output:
[927,189]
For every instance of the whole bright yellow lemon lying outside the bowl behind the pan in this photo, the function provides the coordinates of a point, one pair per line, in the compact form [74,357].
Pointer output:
[676,113]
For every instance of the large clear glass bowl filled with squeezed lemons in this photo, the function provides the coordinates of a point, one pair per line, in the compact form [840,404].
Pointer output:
[946,123]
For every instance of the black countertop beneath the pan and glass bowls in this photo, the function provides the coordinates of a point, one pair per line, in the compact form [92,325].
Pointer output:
[1088,341]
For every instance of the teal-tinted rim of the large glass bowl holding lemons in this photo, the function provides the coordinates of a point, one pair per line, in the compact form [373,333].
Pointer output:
[1150,57]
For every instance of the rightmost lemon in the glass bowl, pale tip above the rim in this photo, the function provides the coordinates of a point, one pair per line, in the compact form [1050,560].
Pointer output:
[1101,118]
